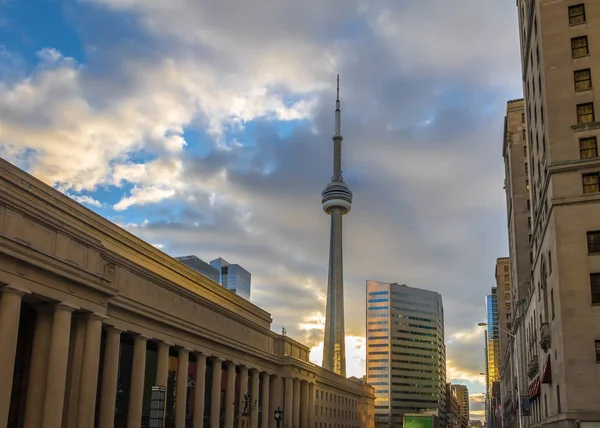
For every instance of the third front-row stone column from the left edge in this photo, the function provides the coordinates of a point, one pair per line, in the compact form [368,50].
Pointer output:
[89,371]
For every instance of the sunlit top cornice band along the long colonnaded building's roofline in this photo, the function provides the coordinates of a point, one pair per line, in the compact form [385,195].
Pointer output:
[57,206]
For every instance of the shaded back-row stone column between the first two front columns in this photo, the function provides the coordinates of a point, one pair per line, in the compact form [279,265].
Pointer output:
[38,366]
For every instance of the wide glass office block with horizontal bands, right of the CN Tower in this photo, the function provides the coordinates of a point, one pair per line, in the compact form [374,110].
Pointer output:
[406,355]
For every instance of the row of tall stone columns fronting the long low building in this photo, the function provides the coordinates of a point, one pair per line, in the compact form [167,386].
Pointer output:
[53,400]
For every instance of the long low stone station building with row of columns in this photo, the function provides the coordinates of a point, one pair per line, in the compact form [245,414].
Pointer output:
[93,320]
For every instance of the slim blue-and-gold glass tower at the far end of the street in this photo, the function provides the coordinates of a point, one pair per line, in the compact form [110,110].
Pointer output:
[492,399]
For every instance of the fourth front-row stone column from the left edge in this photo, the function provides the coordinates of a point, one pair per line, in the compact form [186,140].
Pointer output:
[110,372]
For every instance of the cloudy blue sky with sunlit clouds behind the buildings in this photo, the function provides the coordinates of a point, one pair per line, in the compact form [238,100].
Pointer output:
[205,128]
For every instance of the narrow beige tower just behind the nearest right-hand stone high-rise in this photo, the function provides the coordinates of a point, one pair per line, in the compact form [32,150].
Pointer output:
[518,203]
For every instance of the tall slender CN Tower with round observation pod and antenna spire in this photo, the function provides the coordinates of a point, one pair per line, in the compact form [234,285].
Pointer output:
[337,202]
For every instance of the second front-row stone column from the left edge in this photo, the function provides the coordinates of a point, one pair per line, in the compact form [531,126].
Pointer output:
[56,378]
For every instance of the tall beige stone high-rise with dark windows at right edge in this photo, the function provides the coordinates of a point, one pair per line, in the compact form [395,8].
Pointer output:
[558,333]
